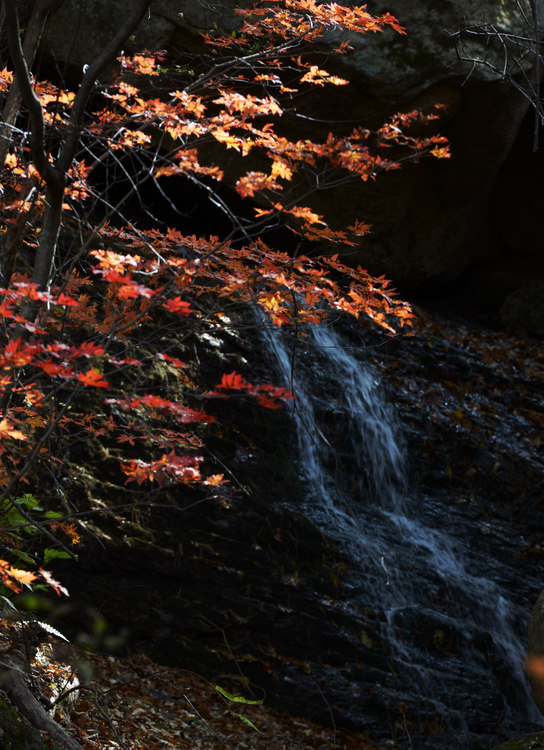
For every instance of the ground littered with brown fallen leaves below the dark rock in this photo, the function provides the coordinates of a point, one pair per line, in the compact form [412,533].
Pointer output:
[135,704]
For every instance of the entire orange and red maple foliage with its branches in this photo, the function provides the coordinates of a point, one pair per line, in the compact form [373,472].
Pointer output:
[80,338]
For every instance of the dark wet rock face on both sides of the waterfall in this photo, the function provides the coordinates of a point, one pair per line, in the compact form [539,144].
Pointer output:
[251,581]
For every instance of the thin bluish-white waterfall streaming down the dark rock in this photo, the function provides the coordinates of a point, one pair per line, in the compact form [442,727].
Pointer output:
[444,610]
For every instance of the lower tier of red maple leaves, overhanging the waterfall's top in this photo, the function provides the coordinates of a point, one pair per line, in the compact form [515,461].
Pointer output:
[134,288]
